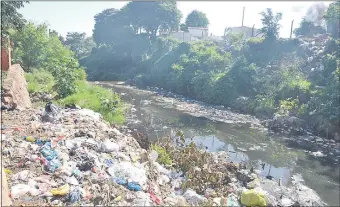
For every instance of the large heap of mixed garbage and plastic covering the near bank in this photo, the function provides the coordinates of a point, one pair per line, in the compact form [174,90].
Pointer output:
[74,158]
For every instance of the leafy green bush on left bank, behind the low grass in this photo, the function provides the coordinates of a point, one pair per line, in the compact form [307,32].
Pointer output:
[35,48]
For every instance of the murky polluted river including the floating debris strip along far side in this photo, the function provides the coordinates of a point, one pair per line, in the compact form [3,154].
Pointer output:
[219,129]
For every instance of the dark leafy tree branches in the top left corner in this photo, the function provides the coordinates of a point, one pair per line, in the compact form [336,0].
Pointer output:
[10,18]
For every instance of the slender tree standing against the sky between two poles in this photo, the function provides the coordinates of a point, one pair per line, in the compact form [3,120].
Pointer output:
[270,24]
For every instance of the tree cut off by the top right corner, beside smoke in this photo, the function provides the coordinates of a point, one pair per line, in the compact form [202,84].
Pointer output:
[332,19]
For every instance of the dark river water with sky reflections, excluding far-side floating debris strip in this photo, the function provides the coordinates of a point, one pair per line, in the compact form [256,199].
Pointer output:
[266,153]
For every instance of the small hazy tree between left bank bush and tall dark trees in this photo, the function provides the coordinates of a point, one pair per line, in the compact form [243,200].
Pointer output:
[79,44]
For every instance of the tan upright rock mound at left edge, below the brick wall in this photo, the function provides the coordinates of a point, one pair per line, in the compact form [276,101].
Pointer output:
[15,89]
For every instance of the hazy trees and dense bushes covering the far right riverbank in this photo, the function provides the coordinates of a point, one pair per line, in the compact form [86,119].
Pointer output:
[257,75]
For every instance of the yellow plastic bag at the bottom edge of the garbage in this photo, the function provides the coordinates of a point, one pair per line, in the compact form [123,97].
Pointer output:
[253,198]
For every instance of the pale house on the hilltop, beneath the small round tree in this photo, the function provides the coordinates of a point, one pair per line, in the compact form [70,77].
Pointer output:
[193,34]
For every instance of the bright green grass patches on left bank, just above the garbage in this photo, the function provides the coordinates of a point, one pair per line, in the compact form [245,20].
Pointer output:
[98,99]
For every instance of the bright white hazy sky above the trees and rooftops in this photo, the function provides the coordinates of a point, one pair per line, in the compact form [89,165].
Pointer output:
[78,16]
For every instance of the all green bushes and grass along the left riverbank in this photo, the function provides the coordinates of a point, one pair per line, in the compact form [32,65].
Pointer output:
[53,68]
